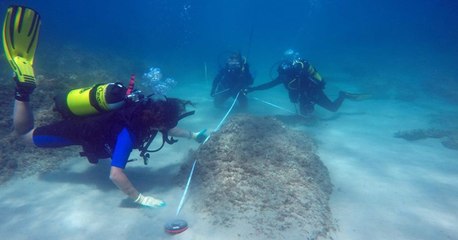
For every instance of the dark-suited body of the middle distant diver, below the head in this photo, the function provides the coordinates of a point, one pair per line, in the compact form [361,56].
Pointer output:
[229,82]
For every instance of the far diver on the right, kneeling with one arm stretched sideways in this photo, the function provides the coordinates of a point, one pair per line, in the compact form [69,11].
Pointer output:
[304,85]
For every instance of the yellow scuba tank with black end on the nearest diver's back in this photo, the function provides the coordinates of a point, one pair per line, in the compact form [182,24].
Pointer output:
[91,100]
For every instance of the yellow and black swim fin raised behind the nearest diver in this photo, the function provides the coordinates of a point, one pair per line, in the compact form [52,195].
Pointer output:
[20,37]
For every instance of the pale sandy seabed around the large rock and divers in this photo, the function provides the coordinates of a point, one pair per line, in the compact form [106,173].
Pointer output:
[384,187]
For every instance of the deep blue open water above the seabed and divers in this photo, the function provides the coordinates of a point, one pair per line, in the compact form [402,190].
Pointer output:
[183,34]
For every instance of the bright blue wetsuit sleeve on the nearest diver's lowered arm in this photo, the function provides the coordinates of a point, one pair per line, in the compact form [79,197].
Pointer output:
[123,148]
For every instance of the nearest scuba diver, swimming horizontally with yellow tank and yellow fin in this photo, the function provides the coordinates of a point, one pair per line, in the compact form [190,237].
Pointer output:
[102,119]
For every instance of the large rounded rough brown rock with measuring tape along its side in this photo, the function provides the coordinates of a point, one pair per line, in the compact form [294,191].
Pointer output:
[257,171]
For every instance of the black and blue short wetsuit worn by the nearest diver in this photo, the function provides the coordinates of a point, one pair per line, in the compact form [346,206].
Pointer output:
[98,135]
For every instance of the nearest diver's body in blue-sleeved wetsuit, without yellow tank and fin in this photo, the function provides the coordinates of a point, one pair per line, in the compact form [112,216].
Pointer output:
[113,134]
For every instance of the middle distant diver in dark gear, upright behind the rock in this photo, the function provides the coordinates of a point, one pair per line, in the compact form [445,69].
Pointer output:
[233,77]
